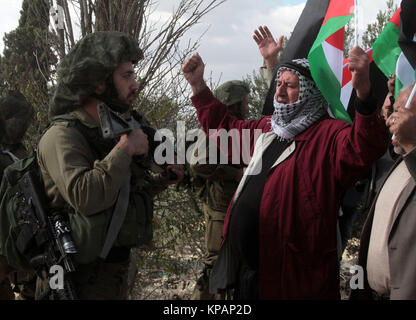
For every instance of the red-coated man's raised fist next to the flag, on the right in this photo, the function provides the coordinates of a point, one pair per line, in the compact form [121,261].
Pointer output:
[360,68]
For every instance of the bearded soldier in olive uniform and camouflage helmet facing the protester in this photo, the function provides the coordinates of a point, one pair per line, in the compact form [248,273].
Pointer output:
[83,173]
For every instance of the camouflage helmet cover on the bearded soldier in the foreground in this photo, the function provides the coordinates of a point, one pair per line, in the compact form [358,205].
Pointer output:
[92,60]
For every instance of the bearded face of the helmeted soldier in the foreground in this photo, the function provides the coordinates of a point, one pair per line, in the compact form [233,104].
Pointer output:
[125,82]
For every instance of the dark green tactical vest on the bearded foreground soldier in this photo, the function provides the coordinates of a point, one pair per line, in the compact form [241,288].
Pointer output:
[89,232]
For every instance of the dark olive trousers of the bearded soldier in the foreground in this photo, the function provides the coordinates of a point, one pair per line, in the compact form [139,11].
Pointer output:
[113,281]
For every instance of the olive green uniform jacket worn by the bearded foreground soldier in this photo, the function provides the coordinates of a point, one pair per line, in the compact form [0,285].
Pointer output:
[88,188]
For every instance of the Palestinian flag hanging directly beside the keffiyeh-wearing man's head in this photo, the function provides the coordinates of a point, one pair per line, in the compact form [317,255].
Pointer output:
[327,55]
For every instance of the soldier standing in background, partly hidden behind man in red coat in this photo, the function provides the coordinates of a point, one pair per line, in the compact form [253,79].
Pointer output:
[219,184]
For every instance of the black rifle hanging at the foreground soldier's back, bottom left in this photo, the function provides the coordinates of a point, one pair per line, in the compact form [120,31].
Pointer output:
[53,235]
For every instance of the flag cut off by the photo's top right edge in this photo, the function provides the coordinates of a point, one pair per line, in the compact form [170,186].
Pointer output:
[406,64]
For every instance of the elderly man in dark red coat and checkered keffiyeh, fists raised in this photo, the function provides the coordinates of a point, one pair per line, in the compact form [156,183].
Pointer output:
[280,231]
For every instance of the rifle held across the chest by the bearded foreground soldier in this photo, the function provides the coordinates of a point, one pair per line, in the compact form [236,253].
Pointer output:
[113,126]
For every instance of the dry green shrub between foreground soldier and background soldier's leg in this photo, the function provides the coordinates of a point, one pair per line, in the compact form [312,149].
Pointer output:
[175,259]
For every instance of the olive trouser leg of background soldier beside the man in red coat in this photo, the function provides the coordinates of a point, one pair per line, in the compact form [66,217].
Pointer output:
[214,223]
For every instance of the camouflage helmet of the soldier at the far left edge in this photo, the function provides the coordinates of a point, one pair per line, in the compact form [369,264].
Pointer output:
[16,113]
